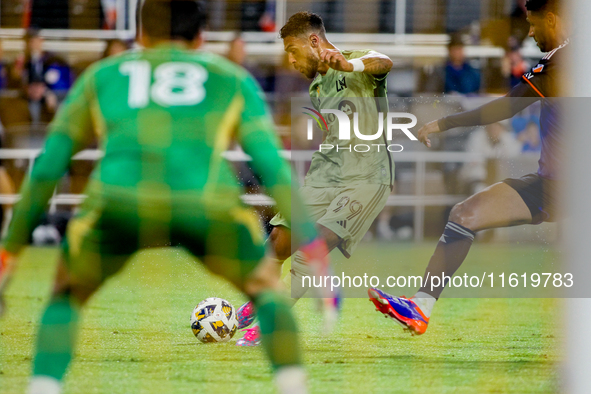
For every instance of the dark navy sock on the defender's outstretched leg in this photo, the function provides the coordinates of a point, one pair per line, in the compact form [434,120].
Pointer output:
[450,253]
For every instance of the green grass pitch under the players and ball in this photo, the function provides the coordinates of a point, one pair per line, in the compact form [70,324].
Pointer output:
[136,338]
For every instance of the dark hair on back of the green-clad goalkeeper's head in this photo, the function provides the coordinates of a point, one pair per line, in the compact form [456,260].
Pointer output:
[173,19]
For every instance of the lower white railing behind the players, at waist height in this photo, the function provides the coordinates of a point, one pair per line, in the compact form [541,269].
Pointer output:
[419,200]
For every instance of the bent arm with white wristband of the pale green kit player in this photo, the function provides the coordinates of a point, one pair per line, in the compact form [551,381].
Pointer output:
[373,63]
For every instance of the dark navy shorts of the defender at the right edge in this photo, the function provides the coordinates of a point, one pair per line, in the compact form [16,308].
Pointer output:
[538,193]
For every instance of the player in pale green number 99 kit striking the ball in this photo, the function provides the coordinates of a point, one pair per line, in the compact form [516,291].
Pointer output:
[344,189]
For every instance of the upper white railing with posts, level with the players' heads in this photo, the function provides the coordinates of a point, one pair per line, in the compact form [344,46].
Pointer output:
[397,45]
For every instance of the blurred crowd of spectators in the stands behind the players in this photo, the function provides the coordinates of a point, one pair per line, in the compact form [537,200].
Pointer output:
[33,80]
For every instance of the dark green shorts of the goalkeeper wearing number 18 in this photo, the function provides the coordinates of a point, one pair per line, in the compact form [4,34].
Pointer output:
[108,230]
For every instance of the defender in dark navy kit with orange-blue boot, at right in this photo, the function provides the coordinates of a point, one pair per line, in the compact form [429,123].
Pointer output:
[527,200]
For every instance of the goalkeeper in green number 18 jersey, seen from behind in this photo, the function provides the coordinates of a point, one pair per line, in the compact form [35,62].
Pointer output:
[163,116]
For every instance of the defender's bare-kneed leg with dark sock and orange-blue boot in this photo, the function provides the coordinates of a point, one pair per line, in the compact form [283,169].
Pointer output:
[500,205]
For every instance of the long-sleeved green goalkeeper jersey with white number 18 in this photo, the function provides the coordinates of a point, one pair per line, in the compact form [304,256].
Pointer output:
[162,116]
